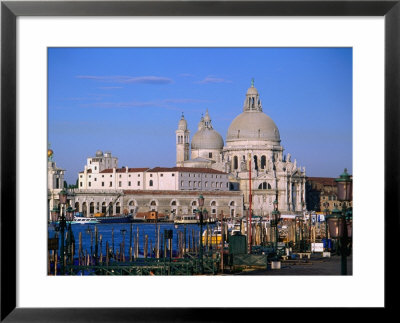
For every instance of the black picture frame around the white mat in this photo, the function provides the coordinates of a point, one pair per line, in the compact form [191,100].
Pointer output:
[10,10]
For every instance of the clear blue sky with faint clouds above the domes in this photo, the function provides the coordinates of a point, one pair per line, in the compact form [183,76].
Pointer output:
[129,101]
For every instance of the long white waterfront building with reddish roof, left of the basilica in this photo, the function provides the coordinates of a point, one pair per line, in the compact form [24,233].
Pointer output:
[170,191]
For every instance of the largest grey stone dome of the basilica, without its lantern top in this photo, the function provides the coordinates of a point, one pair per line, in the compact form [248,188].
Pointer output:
[253,126]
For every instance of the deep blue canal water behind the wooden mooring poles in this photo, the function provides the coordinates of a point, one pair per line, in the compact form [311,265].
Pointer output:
[122,233]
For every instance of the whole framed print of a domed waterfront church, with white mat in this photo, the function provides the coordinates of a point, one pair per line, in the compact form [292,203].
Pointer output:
[42,42]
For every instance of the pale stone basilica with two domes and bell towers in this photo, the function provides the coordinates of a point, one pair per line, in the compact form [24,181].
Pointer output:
[252,154]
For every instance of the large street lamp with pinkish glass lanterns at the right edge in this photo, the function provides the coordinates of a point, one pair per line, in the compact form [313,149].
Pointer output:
[340,222]
